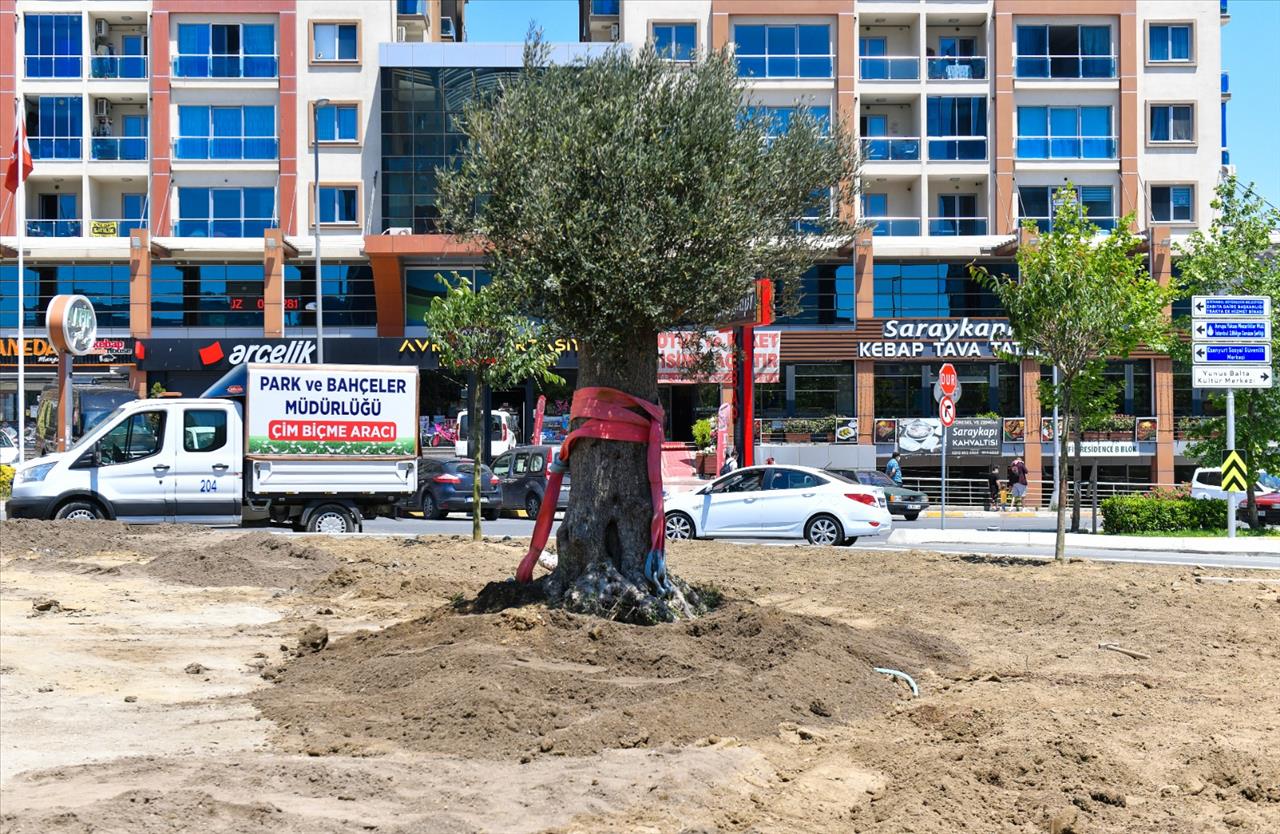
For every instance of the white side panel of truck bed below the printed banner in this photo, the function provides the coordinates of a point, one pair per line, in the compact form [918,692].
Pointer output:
[339,476]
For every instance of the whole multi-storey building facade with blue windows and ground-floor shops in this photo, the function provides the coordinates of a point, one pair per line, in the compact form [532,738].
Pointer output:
[176,152]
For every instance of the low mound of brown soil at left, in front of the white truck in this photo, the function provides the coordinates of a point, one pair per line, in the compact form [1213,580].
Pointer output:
[255,560]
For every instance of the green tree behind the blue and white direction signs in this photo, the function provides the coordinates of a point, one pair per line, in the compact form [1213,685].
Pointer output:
[1236,258]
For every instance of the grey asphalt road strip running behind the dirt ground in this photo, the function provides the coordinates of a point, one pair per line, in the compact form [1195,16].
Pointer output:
[522,528]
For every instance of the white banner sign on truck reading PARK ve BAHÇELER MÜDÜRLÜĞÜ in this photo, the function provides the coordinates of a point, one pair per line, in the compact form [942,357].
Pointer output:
[332,411]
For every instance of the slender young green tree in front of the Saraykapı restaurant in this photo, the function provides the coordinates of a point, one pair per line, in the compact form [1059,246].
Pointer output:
[1080,297]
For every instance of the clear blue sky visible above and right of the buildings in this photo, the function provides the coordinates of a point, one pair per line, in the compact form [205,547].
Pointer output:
[1249,54]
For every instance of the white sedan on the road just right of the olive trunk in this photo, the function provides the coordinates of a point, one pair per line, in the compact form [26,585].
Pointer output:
[780,502]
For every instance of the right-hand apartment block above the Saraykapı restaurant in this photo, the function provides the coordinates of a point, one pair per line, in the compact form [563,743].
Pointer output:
[971,114]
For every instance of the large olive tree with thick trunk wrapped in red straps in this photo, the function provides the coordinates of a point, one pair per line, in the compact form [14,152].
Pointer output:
[620,198]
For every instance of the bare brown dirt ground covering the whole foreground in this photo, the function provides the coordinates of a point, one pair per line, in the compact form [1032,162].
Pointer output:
[171,689]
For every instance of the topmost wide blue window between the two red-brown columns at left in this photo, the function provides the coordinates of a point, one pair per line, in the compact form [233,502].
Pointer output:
[226,51]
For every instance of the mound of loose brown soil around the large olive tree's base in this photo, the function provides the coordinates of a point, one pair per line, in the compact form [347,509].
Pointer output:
[528,681]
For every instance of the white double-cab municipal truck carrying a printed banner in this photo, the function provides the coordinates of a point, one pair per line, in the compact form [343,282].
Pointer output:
[318,447]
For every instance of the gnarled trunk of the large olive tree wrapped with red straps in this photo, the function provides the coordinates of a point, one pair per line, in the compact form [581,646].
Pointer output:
[605,539]
